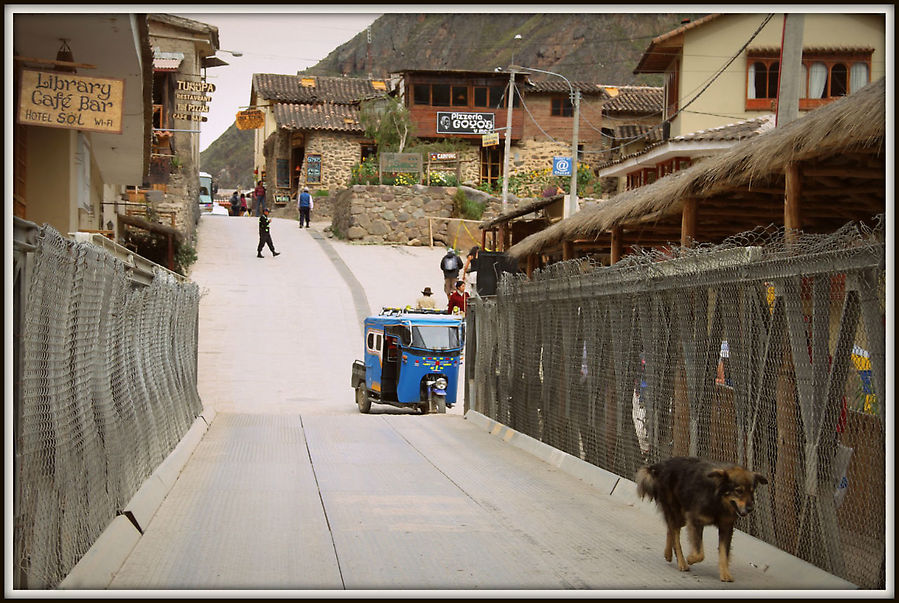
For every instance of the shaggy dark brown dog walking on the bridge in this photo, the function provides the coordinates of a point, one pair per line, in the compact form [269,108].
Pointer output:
[696,493]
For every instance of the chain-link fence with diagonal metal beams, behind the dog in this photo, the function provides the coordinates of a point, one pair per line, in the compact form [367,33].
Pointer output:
[767,350]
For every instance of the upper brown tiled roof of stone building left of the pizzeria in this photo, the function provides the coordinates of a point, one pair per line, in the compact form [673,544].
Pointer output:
[290,88]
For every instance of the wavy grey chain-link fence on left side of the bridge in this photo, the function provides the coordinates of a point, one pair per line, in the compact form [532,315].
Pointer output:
[105,389]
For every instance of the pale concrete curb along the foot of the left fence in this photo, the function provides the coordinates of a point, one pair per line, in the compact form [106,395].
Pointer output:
[98,566]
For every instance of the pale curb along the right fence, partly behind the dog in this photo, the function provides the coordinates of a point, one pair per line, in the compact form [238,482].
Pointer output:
[758,553]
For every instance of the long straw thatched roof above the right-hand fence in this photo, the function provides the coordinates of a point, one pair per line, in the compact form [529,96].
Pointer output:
[851,123]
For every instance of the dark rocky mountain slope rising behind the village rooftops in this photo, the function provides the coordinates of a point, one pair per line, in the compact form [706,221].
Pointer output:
[600,47]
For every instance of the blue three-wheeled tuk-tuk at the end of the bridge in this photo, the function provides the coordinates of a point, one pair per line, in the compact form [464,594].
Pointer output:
[412,360]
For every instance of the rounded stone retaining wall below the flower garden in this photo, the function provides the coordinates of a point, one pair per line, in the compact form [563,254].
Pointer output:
[398,214]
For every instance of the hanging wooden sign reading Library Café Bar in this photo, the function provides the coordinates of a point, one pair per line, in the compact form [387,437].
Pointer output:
[65,100]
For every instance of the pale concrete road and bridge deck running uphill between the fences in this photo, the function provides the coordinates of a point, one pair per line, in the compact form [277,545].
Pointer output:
[291,488]
